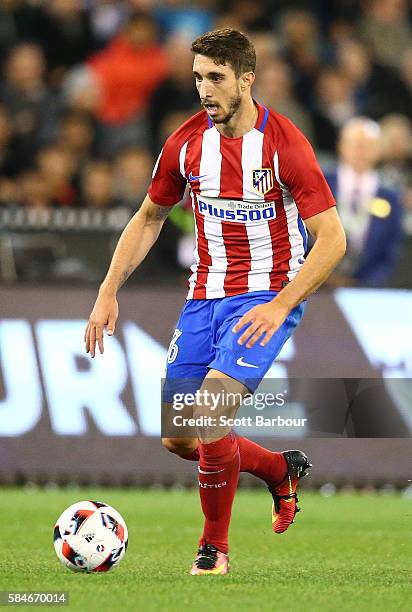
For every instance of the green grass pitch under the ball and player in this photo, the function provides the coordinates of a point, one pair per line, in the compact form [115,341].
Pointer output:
[347,552]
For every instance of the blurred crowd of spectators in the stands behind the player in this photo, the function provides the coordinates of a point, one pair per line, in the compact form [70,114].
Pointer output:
[89,90]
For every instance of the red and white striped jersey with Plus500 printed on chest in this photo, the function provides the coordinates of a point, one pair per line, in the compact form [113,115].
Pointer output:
[249,197]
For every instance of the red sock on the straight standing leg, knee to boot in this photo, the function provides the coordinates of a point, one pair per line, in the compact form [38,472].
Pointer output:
[218,476]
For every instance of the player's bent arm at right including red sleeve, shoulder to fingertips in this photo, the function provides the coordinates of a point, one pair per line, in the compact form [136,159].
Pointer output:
[299,172]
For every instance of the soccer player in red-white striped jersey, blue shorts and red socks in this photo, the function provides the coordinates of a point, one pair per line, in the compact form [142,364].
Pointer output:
[256,186]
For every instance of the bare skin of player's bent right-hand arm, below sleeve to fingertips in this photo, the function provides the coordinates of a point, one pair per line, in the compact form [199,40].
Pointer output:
[330,244]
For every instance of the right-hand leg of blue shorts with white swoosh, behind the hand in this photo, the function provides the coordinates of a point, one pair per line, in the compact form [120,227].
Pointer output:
[248,365]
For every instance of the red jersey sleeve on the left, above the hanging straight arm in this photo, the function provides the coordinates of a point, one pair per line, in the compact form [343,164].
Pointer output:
[168,184]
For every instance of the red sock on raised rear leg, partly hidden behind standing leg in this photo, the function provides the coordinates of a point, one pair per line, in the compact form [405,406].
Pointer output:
[261,462]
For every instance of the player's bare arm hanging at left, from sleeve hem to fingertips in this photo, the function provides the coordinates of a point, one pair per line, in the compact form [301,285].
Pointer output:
[136,240]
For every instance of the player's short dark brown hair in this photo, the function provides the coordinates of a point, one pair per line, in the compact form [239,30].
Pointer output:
[227,46]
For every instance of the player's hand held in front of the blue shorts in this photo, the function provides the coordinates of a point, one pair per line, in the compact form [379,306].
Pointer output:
[262,322]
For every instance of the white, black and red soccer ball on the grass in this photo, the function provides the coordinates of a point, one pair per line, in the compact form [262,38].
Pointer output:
[90,537]
